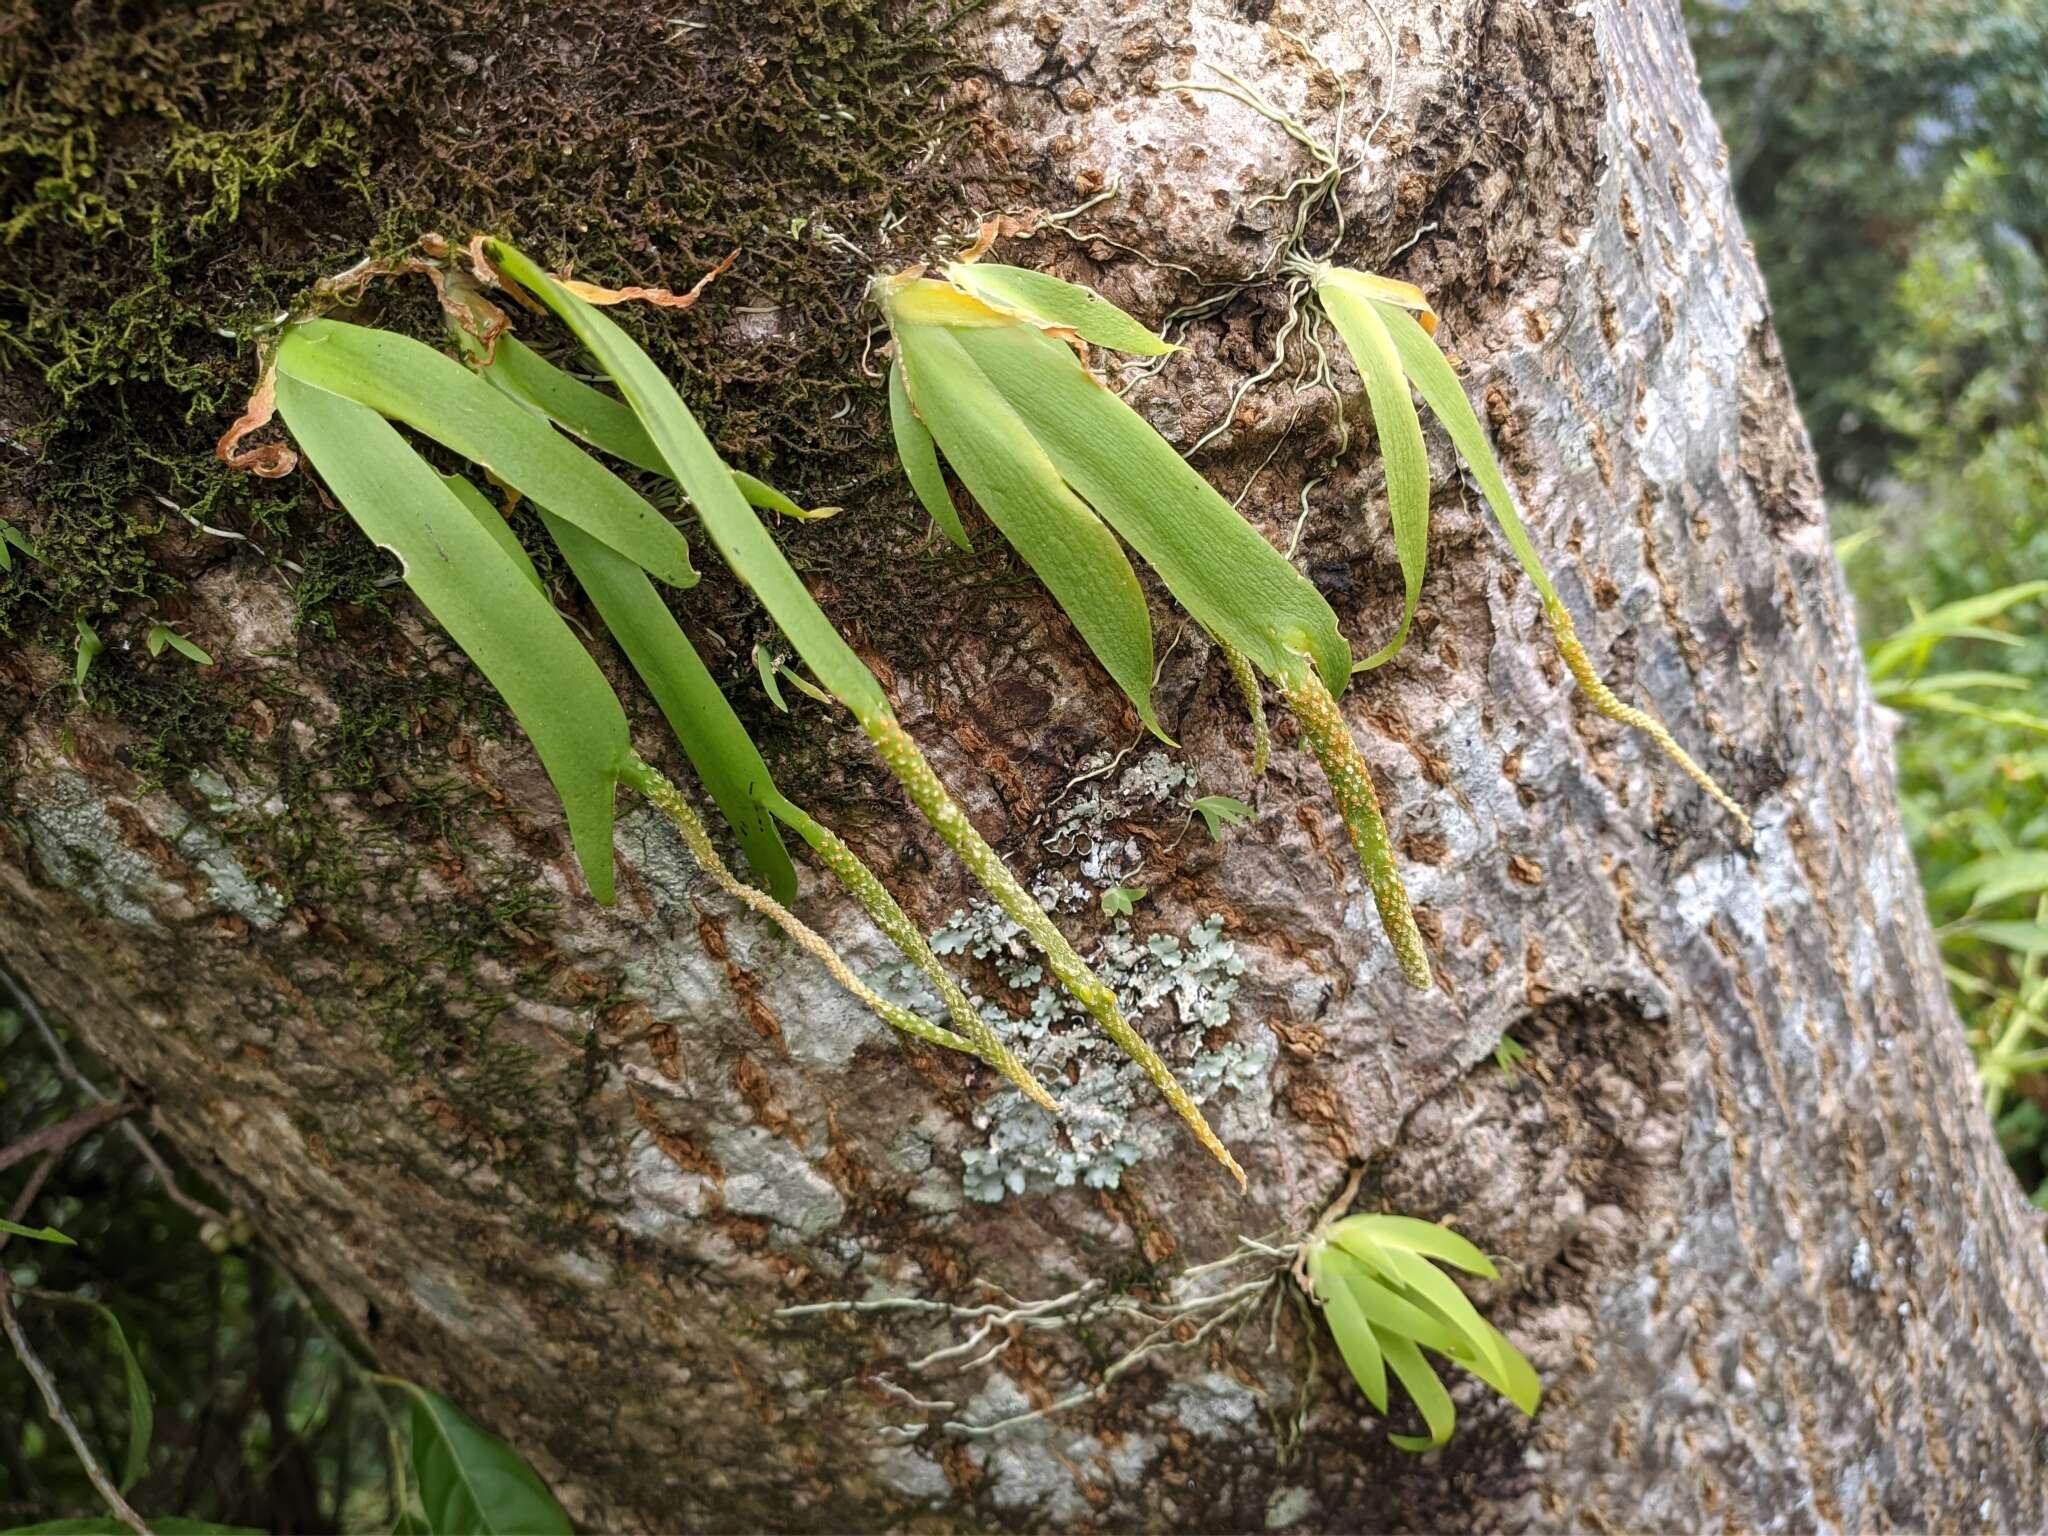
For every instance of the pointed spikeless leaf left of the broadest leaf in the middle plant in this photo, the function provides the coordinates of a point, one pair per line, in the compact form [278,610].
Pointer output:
[998,460]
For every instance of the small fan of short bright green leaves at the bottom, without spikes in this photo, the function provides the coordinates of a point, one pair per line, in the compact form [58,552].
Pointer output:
[1388,1302]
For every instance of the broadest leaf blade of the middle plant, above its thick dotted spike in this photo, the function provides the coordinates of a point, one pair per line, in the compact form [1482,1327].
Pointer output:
[1218,566]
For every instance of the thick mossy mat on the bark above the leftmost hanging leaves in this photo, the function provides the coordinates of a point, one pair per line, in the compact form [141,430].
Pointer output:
[175,177]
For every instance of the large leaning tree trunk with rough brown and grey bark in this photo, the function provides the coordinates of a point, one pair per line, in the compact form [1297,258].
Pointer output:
[566,1162]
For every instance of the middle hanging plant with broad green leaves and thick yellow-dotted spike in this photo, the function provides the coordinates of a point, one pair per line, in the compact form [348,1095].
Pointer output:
[988,372]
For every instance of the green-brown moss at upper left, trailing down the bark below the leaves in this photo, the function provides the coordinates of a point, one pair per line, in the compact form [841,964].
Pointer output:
[177,183]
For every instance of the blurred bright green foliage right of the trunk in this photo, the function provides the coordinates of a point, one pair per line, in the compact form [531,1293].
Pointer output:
[1902,148]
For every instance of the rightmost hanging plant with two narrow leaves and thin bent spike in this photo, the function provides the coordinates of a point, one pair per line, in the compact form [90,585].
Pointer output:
[1390,331]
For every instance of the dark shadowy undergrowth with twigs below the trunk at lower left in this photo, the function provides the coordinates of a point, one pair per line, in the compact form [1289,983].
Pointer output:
[171,1363]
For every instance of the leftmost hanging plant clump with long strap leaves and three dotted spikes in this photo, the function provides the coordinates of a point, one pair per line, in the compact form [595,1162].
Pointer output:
[339,390]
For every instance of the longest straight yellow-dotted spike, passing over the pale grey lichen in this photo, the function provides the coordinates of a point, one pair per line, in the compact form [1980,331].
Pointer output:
[949,820]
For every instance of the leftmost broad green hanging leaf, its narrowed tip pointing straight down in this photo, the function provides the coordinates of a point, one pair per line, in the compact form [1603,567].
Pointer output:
[482,599]
